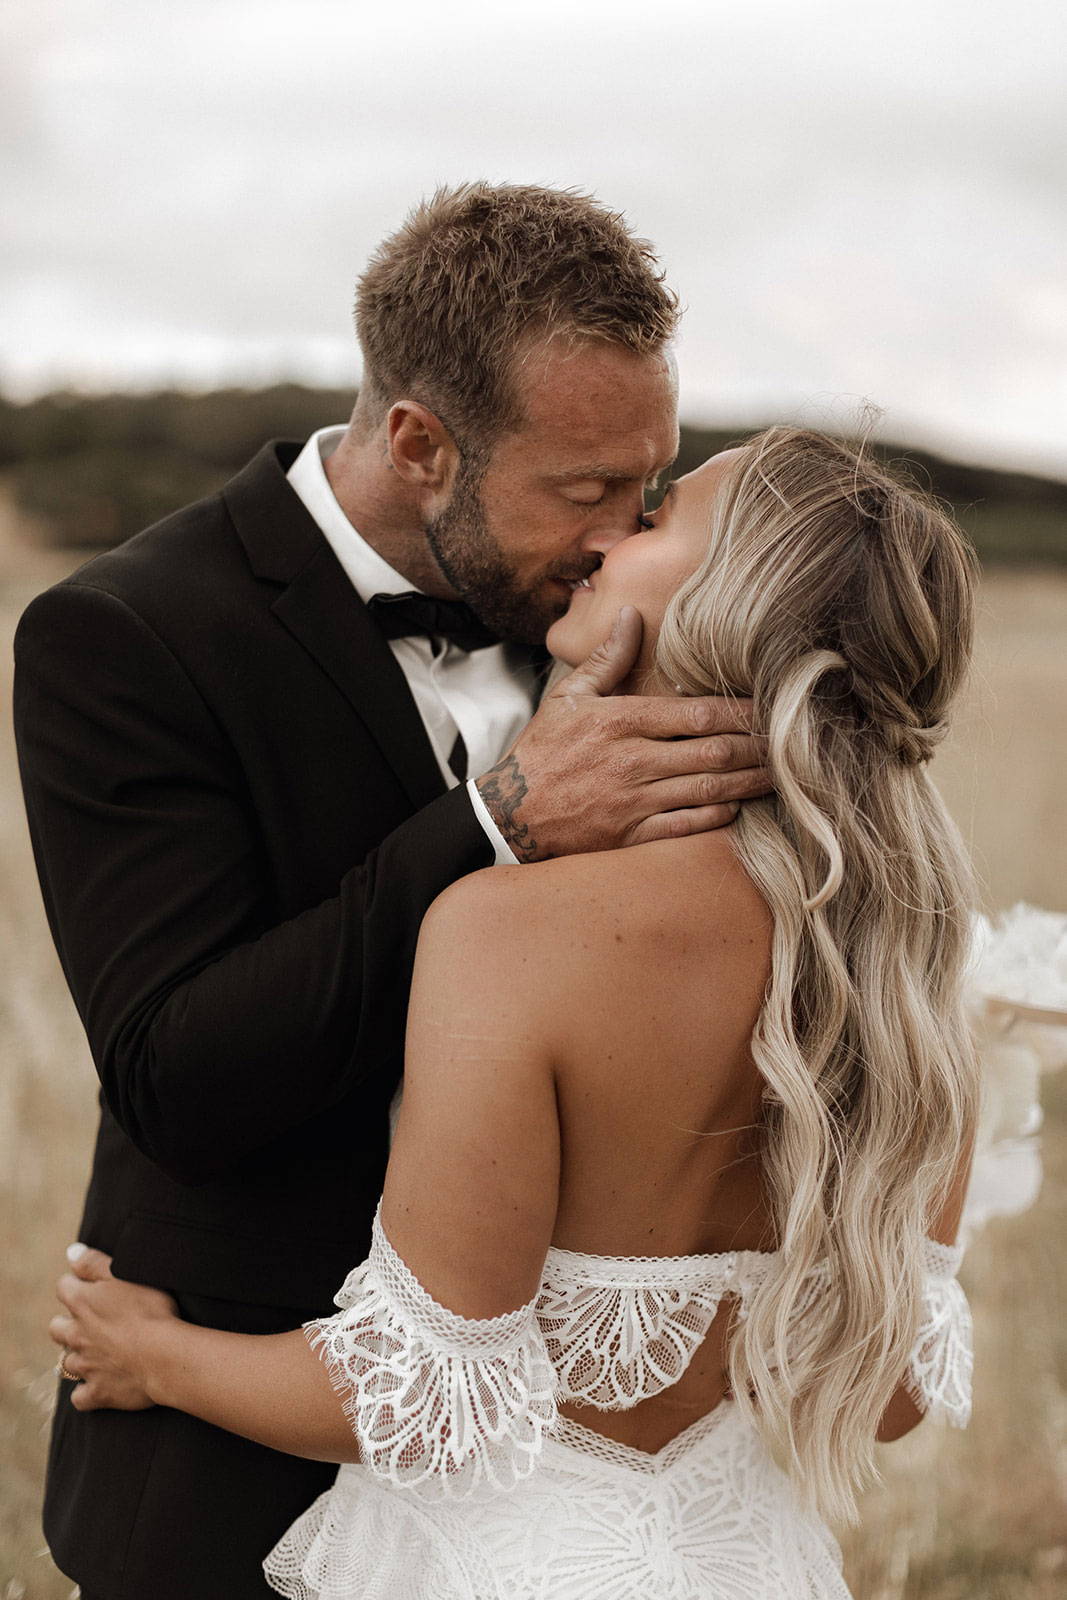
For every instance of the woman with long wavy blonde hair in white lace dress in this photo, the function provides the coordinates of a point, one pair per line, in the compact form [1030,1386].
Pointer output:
[666,1242]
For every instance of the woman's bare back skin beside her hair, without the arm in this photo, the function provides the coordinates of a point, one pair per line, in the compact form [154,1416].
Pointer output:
[666,956]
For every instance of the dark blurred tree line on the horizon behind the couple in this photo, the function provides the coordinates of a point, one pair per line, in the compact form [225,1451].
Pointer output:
[94,470]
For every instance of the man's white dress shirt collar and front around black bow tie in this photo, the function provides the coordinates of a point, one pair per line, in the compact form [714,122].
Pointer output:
[481,695]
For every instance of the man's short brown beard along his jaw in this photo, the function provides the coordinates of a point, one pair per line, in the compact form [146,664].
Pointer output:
[479,570]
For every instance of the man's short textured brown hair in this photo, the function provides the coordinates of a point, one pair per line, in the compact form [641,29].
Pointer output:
[478,271]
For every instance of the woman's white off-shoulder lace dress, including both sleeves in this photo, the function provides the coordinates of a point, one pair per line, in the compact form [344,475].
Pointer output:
[471,1486]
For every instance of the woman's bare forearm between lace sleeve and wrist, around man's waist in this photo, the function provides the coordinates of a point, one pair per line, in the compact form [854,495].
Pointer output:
[270,1388]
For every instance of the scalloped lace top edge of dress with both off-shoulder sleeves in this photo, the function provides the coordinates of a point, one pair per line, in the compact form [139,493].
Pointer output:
[452,1402]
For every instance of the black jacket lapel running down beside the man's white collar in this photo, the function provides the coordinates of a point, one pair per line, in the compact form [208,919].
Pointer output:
[322,612]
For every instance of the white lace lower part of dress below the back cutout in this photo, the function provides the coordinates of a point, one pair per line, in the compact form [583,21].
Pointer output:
[708,1518]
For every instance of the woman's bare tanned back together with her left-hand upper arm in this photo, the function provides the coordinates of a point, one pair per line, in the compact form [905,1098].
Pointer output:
[580,1039]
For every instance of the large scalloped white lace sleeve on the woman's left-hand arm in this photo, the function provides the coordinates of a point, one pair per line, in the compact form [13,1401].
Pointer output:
[436,1399]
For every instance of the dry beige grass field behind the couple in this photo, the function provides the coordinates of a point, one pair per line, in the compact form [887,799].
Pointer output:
[978,1516]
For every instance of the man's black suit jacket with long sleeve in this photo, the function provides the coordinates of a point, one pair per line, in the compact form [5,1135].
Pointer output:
[239,825]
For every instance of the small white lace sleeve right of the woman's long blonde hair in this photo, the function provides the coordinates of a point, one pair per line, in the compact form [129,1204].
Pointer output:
[943,1361]
